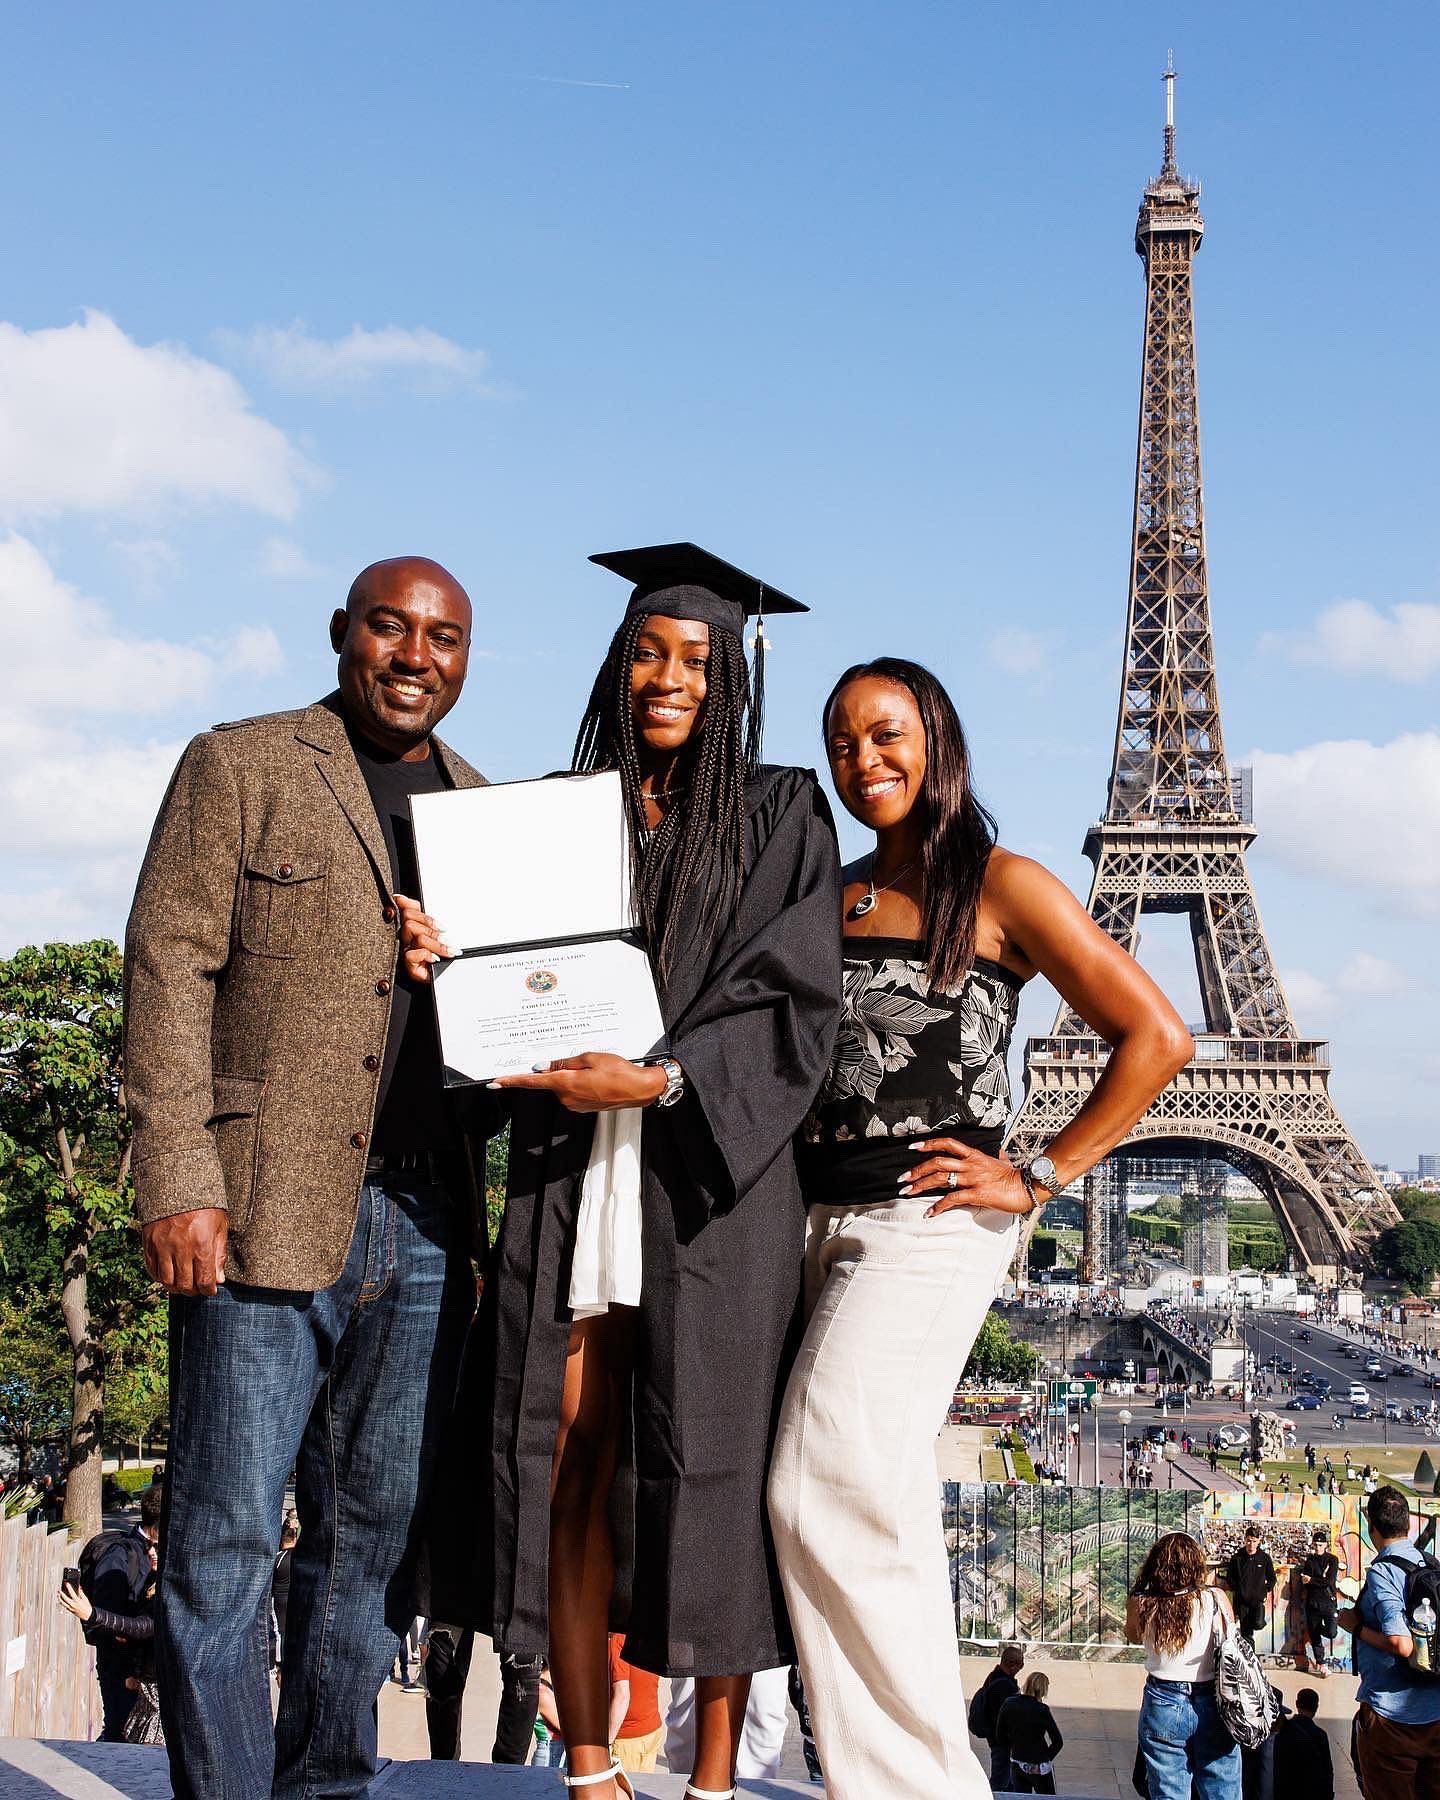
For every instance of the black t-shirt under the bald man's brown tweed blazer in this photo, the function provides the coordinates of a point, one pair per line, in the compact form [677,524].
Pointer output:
[411,1111]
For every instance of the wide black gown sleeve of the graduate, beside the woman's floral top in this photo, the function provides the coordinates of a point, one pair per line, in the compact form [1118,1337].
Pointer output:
[755,1043]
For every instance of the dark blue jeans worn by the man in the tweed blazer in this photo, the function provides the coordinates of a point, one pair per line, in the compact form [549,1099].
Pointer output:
[350,1387]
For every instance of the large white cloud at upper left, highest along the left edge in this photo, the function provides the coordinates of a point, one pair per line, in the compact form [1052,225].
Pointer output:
[94,422]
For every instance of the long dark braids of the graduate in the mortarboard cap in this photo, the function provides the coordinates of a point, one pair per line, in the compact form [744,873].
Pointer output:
[701,840]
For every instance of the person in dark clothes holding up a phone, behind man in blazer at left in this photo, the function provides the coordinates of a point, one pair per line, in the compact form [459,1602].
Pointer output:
[112,1601]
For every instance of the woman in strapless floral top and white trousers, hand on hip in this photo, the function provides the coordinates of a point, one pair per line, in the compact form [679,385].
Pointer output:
[913,1216]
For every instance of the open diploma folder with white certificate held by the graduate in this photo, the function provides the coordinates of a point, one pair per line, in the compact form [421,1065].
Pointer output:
[530,885]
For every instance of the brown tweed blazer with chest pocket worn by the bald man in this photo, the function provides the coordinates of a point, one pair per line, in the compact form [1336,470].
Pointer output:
[260,958]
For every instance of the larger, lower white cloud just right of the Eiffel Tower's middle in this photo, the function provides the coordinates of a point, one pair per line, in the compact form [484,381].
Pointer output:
[1358,814]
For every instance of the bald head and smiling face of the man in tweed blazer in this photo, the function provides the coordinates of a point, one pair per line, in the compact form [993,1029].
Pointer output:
[404,642]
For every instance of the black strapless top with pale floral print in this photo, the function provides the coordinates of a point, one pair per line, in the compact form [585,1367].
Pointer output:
[908,1065]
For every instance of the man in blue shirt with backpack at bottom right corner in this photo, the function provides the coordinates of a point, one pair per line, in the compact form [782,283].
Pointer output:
[1398,1727]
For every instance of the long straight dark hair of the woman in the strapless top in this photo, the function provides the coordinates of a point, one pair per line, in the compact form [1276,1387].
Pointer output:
[960,834]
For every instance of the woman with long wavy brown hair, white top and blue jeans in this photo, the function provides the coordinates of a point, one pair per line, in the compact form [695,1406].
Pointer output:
[1178,1617]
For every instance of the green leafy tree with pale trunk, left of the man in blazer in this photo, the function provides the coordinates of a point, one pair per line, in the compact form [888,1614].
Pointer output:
[66,1221]
